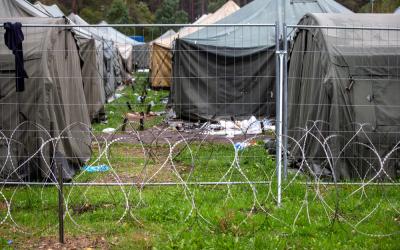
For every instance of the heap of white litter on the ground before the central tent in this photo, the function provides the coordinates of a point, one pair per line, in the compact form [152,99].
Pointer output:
[230,129]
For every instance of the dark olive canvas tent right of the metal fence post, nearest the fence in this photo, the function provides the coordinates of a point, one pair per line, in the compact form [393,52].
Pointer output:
[351,78]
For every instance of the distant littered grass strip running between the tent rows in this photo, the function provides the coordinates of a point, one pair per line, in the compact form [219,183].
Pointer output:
[117,109]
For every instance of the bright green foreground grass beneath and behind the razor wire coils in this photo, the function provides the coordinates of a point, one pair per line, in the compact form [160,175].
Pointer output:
[162,218]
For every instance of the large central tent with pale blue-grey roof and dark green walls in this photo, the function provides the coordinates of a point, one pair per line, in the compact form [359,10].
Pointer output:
[220,72]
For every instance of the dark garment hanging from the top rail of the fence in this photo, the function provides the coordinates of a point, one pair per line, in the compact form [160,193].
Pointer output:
[13,39]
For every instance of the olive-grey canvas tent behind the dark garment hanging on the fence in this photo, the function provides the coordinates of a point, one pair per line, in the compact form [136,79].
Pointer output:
[48,122]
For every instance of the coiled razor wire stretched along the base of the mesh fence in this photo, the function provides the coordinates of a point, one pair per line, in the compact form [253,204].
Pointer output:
[313,186]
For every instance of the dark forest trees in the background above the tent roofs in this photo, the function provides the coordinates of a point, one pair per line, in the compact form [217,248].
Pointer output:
[175,11]
